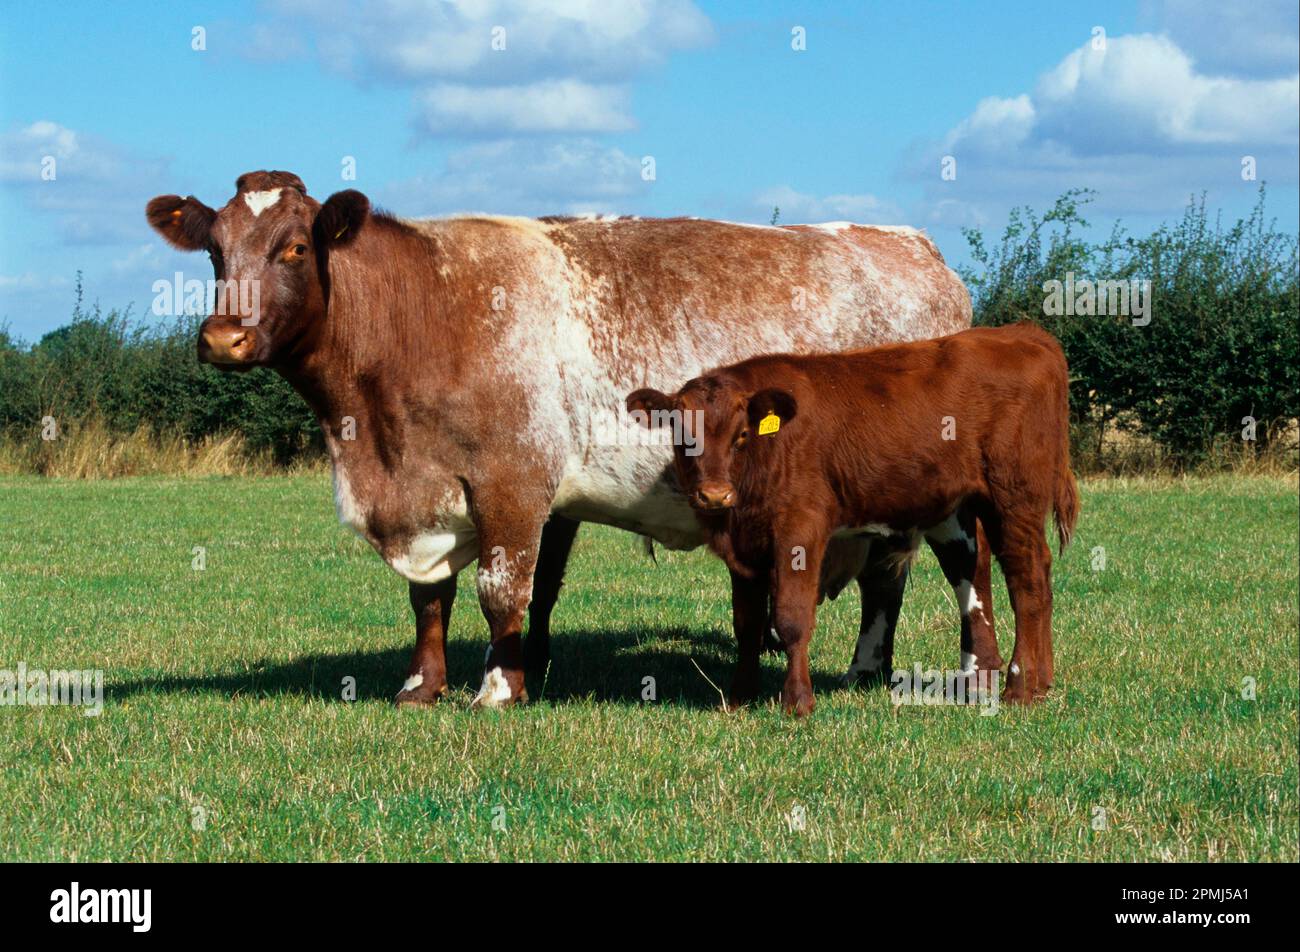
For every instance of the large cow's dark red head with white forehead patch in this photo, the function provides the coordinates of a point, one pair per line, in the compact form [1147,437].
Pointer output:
[270,249]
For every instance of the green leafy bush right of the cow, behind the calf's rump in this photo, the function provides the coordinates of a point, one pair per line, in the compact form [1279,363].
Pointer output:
[1224,337]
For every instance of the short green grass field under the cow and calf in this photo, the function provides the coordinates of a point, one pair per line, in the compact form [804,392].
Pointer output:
[224,707]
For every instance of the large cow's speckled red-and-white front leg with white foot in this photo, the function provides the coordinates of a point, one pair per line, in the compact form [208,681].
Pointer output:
[508,559]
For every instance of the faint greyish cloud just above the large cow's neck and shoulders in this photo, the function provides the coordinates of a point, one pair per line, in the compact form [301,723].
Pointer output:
[517,178]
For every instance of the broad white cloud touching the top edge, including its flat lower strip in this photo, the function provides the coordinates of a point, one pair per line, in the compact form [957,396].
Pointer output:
[513,68]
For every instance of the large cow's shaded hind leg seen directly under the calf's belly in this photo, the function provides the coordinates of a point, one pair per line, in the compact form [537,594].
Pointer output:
[881,583]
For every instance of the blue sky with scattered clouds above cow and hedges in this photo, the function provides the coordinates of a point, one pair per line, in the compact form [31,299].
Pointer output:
[853,127]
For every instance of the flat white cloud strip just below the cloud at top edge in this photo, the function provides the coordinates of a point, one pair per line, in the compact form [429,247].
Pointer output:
[553,106]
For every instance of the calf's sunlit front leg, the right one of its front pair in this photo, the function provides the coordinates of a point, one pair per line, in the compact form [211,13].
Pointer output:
[798,573]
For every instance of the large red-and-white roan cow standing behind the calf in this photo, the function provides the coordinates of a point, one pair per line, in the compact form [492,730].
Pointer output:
[469,375]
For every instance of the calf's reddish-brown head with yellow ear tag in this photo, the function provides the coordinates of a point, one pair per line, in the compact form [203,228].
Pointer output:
[718,421]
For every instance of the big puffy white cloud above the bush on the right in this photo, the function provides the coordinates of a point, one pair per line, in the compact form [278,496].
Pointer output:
[1137,122]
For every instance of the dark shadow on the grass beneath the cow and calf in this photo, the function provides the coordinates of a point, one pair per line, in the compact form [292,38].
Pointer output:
[606,667]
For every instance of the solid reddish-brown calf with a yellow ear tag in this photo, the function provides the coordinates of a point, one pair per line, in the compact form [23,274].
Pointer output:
[905,442]
